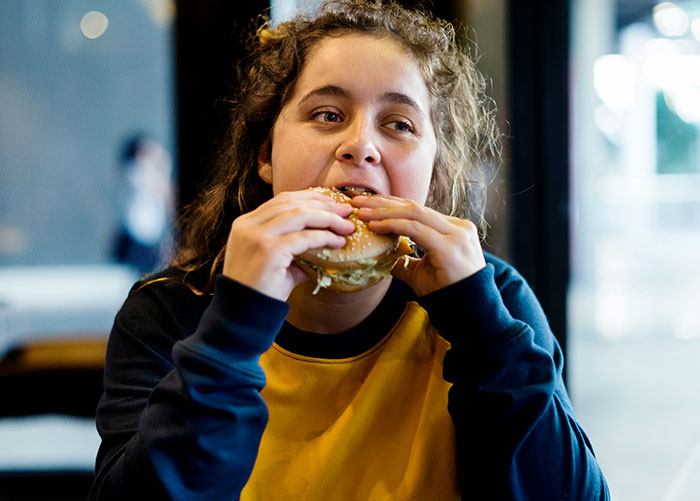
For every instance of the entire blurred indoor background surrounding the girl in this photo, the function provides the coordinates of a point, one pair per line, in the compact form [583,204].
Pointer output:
[108,115]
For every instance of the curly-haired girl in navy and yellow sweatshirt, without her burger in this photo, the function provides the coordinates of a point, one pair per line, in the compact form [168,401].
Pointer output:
[226,377]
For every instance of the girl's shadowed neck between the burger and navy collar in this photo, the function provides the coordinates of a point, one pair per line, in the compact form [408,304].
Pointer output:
[332,312]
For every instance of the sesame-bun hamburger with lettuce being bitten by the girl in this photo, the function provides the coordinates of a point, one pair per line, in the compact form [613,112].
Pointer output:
[365,260]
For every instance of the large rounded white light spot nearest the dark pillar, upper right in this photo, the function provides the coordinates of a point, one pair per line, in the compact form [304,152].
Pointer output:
[613,79]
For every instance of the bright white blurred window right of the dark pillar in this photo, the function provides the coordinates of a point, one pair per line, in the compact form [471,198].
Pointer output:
[635,321]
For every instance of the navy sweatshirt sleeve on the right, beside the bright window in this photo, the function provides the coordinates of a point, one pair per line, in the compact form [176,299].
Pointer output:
[517,435]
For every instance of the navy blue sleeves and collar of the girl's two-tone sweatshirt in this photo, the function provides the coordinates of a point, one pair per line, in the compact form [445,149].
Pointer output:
[182,416]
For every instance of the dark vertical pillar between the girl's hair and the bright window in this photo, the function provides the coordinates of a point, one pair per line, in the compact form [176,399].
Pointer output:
[539,180]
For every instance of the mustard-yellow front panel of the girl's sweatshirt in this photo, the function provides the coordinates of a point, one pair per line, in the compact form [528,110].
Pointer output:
[370,427]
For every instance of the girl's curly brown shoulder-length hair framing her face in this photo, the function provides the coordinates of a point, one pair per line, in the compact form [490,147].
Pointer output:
[462,115]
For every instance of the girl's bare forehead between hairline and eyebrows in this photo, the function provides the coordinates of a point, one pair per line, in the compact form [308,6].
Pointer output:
[364,64]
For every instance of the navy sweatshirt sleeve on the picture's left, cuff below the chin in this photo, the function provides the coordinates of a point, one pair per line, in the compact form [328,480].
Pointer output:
[183,419]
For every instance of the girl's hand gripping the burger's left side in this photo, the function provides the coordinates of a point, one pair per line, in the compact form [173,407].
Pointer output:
[262,243]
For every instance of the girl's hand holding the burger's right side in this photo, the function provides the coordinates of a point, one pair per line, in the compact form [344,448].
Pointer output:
[452,248]
